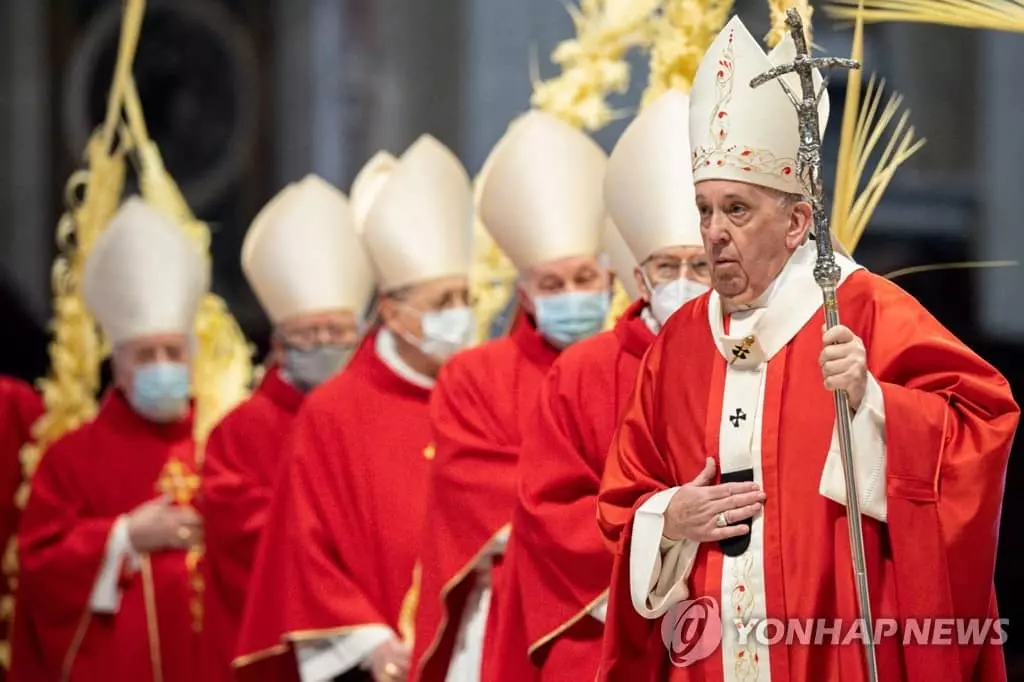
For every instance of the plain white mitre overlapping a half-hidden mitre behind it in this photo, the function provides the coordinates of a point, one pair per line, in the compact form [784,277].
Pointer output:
[420,227]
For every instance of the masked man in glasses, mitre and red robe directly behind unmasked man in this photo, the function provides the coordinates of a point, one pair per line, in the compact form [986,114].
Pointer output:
[563,565]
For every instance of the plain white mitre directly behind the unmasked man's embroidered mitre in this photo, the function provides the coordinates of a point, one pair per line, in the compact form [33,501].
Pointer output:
[650,186]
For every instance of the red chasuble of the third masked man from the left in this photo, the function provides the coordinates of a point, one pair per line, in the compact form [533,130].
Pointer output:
[342,539]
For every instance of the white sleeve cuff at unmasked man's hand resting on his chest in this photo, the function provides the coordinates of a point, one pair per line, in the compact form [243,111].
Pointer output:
[658,577]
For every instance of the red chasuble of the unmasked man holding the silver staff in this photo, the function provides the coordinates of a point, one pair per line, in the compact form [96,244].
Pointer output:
[950,420]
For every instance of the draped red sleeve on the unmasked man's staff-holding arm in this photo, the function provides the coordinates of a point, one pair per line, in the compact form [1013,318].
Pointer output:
[951,420]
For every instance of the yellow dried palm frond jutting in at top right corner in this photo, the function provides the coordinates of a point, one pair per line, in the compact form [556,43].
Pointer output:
[991,15]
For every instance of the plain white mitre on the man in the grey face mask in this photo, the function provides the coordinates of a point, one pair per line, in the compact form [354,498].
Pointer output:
[303,254]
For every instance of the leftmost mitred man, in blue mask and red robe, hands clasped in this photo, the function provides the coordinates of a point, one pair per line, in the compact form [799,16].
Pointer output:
[107,591]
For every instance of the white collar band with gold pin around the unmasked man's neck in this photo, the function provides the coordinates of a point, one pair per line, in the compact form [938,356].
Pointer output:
[785,308]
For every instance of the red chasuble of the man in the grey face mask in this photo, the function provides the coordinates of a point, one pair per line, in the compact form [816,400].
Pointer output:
[243,456]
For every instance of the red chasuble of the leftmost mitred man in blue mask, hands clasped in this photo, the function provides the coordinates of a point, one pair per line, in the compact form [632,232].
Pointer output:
[84,482]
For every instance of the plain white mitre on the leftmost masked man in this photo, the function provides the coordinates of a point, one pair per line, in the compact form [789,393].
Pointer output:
[144,276]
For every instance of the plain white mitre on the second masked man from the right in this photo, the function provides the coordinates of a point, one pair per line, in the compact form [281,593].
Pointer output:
[542,197]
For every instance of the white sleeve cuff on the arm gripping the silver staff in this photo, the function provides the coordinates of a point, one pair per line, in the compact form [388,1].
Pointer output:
[868,434]
